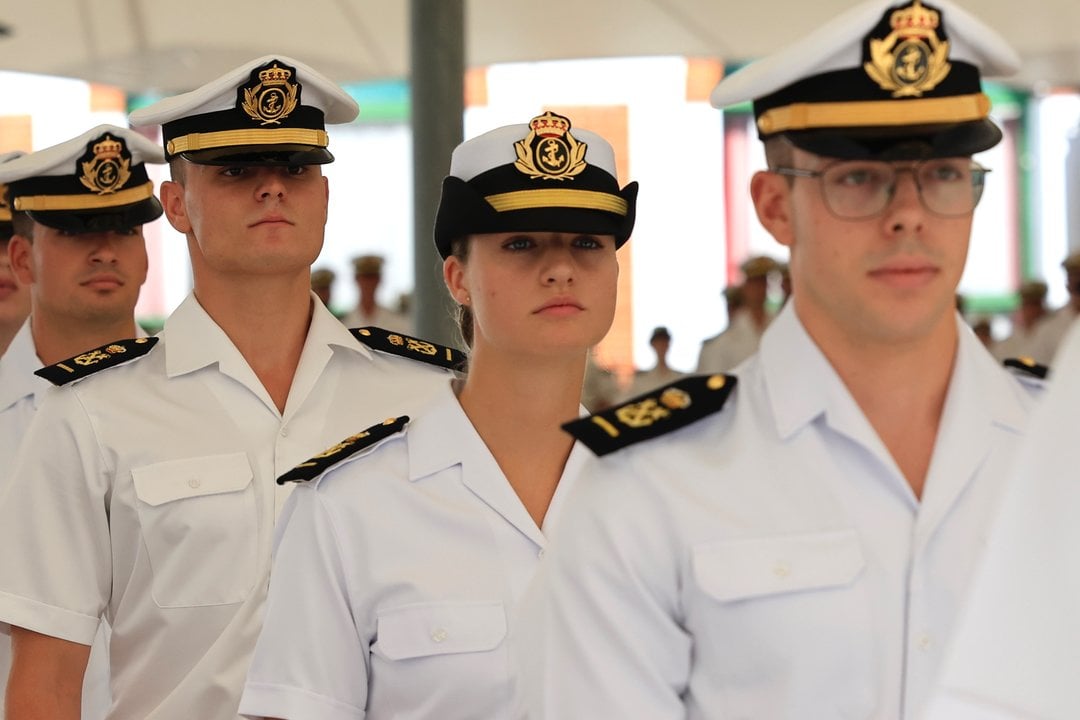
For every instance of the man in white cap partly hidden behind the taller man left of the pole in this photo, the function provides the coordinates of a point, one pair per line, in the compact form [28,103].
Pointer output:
[77,248]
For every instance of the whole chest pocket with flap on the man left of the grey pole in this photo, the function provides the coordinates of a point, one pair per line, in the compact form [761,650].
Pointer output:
[199,524]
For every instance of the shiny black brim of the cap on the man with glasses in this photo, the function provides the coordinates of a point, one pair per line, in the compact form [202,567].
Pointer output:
[900,143]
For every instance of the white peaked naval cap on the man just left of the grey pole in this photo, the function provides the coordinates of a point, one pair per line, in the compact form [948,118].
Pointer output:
[273,111]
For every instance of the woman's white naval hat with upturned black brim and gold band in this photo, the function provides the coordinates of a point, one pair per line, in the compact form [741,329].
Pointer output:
[538,178]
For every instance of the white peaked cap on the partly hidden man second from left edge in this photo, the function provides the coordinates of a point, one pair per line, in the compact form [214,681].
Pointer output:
[94,183]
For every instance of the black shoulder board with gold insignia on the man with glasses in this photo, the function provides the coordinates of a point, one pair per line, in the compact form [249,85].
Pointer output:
[654,414]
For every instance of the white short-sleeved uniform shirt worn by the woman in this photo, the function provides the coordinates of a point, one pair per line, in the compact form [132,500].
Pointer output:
[401,570]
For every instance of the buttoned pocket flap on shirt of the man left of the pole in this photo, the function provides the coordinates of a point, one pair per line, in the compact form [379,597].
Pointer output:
[192,478]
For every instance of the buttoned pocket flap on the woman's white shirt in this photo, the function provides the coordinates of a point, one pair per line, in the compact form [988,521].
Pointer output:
[440,630]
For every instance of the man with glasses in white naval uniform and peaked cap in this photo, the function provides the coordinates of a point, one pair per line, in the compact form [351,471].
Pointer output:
[801,551]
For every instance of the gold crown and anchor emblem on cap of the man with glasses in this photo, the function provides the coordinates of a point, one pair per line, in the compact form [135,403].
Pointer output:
[912,60]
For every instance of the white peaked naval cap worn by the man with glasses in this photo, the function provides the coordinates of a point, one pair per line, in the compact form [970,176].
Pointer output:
[882,79]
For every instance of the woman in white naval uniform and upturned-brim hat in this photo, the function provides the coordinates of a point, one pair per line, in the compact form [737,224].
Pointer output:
[401,565]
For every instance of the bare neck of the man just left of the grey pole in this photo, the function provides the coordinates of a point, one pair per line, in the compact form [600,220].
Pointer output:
[267,319]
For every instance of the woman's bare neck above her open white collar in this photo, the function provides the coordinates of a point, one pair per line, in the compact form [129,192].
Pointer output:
[518,406]
